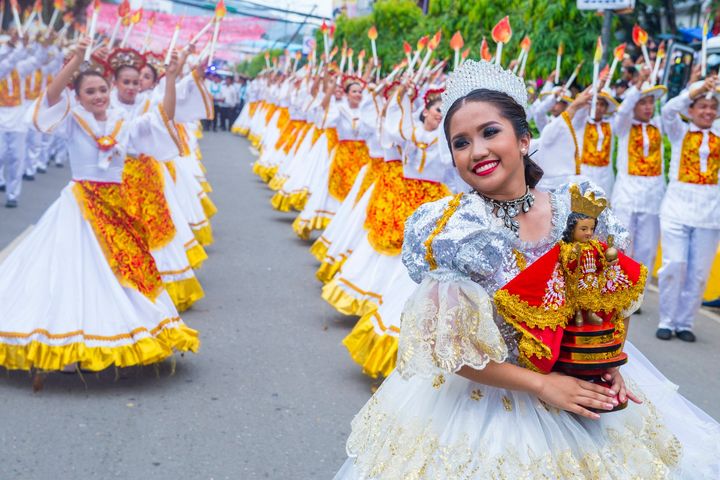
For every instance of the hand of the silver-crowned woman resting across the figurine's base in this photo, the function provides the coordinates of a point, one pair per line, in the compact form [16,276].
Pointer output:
[576,396]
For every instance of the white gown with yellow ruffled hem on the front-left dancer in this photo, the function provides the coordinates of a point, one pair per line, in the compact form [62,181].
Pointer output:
[61,301]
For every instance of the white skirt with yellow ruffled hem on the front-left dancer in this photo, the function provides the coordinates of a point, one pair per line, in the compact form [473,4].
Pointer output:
[62,303]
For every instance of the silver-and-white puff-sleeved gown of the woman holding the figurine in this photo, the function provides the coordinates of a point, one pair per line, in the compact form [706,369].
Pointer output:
[426,422]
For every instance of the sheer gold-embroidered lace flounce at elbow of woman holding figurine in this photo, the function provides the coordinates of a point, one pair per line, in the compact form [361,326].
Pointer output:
[448,324]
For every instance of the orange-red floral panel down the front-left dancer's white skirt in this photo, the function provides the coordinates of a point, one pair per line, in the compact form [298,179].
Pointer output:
[120,235]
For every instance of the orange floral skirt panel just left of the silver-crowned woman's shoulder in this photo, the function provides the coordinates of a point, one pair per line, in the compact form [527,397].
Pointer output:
[393,200]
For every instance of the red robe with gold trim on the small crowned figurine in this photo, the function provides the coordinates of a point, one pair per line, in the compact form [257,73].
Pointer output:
[541,300]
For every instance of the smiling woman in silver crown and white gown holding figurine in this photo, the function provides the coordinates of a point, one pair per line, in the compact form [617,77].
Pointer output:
[459,405]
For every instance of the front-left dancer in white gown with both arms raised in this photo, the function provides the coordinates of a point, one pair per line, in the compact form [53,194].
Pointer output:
[83,287]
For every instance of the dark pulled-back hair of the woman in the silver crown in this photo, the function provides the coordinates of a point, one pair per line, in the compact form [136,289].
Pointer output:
[509,110]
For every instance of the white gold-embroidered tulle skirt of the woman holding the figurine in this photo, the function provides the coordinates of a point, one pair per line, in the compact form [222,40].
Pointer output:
[449,427]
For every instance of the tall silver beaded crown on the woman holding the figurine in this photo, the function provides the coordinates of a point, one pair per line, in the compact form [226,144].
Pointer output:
[472,75]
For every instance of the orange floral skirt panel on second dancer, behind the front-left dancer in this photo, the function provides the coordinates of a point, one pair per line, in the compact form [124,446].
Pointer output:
[143,188]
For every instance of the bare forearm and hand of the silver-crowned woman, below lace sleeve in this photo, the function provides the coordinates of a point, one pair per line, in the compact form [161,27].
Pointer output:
[556,389]
